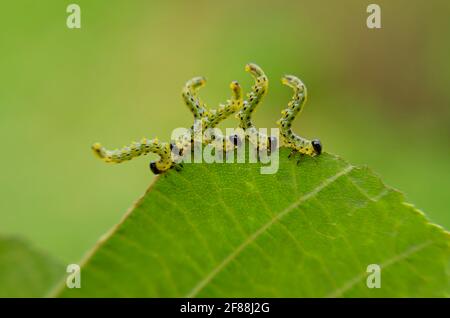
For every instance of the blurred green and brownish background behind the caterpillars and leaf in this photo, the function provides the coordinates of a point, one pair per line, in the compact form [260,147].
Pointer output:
[376,97]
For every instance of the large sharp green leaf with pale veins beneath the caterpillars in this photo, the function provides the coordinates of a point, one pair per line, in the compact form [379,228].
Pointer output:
[310,230]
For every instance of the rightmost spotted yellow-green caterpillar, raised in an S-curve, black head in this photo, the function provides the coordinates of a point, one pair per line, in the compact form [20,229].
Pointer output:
[295,106]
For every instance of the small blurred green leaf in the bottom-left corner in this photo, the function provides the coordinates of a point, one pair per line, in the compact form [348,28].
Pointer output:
[25,271]
